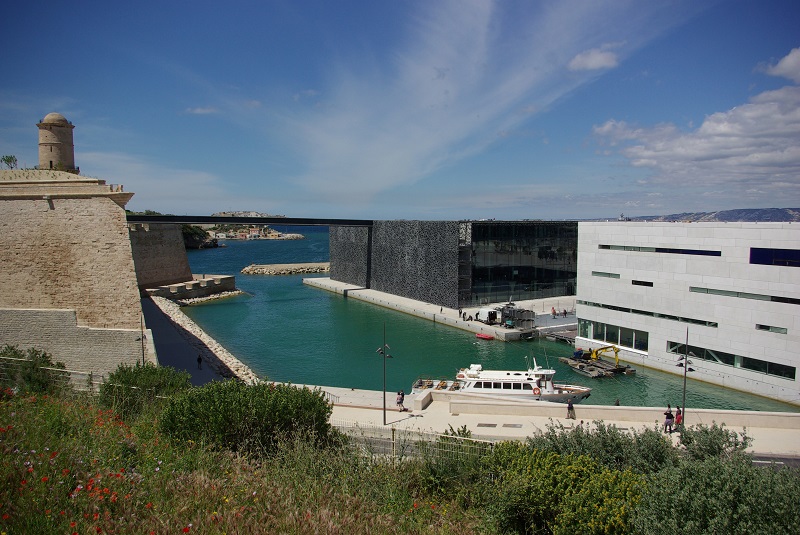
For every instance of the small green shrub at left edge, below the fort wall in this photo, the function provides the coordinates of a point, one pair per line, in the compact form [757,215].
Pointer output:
[32,374]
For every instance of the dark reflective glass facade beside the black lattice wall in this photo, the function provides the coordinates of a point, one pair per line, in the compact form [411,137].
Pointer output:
[517,261]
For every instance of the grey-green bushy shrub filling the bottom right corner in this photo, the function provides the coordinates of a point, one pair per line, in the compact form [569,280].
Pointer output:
[719,495]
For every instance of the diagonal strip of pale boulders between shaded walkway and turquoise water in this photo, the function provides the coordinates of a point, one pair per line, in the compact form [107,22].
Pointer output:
[216,356]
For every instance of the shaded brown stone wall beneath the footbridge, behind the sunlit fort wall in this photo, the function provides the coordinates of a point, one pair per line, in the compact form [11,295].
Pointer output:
[159,255]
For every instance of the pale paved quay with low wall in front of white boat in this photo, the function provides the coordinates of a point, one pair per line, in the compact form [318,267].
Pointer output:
[774,434]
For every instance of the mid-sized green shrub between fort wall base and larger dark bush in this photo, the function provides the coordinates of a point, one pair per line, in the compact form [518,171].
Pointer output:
[130,389]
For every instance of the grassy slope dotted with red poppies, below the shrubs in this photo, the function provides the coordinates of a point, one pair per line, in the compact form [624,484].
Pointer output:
[69,466]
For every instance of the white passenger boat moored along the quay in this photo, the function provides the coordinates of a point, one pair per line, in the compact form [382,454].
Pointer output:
[535,384]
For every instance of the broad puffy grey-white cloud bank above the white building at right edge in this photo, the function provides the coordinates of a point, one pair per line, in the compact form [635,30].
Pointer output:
[751,151]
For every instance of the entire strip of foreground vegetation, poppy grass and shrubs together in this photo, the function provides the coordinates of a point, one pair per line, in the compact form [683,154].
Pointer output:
[151,454]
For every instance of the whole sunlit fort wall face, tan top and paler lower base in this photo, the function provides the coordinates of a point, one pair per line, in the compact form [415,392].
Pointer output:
[67,279]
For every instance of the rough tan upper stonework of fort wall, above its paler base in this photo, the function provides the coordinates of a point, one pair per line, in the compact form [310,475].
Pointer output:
[69,253]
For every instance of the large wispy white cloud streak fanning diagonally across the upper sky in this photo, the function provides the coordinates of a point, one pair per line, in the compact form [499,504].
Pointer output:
[456,84]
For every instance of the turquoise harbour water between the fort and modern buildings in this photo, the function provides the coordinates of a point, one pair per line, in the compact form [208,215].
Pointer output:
[288,331]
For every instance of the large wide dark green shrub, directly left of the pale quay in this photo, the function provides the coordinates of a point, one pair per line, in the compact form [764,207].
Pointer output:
[247,418]
